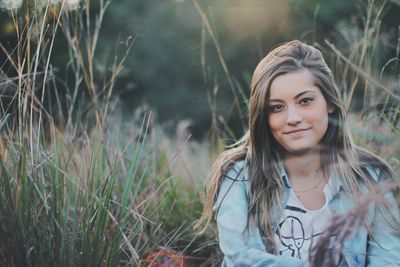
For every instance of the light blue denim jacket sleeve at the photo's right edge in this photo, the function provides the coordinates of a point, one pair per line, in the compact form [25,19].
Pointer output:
[384,242]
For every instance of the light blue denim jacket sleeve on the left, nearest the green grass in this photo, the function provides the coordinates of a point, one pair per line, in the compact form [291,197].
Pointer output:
[242,245]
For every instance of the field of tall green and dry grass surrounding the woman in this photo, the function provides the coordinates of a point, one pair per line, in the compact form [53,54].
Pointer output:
[83,186]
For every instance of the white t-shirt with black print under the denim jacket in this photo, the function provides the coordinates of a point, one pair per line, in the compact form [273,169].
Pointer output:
[301,228]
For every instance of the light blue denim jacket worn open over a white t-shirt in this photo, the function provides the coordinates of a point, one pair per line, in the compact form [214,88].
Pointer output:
[243,245]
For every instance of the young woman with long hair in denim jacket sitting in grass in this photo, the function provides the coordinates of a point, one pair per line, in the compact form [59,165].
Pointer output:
[276,192]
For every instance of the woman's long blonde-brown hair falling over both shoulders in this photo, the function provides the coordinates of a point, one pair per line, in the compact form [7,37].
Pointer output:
[262,154]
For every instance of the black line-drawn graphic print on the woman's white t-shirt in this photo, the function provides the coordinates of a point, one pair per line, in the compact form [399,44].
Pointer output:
[292,234]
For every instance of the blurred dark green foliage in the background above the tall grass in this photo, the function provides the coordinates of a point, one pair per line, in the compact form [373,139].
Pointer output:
[165,69]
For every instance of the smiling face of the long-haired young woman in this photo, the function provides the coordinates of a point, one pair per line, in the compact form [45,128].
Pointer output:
[298,112]
